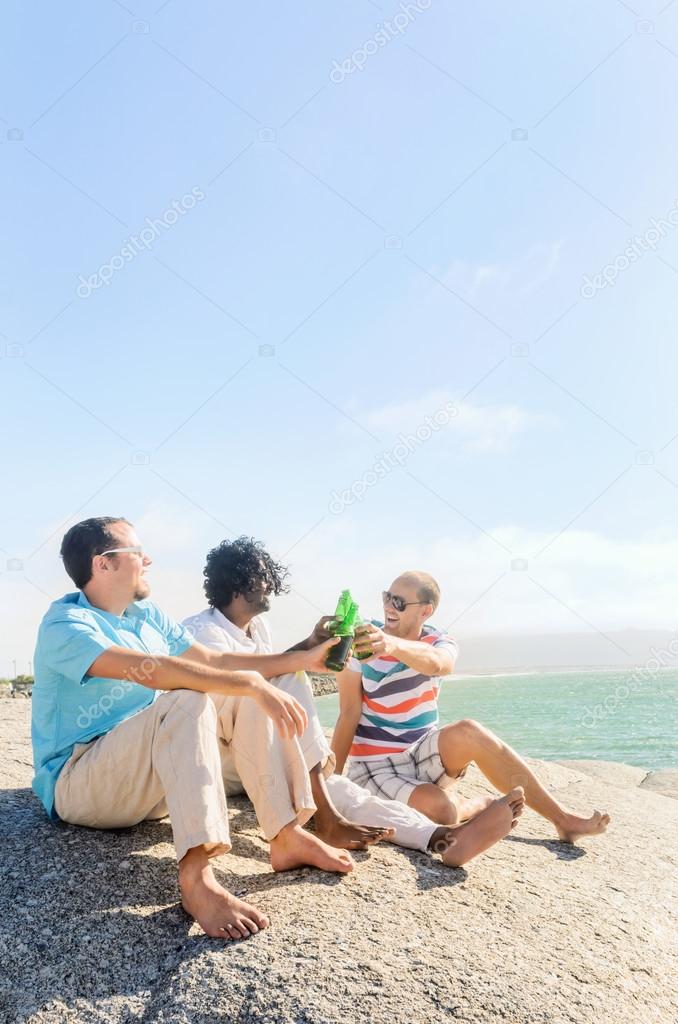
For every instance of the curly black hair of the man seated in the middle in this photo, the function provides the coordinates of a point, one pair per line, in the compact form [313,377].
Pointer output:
[238,567]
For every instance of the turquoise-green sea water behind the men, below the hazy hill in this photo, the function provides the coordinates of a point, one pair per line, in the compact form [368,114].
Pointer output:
[629,716]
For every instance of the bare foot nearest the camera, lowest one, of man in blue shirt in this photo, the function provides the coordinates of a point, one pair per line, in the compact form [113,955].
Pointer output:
[219,913]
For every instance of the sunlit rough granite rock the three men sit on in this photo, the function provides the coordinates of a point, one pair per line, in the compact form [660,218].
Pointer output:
[535,931]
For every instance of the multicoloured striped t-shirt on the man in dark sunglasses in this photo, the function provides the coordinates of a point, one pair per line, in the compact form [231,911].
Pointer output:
[400,705]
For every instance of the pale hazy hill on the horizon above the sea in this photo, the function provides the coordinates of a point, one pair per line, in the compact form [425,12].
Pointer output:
[561,651]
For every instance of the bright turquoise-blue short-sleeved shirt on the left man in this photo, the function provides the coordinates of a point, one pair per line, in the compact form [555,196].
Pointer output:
[69,706]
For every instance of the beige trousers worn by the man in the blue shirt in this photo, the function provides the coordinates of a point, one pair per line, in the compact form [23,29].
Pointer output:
[174,758]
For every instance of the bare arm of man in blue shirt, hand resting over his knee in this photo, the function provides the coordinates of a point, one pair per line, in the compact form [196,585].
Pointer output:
[162,672]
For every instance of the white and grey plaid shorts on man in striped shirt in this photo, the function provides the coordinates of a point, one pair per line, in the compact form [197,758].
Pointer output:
[397,777]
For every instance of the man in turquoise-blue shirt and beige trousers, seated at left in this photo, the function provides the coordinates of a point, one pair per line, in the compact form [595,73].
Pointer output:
[111,749]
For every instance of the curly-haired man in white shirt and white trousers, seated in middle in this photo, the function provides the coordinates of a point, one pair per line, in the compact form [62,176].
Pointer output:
[240,577]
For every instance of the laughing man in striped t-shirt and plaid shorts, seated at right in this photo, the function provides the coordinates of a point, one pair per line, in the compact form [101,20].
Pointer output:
[389,733]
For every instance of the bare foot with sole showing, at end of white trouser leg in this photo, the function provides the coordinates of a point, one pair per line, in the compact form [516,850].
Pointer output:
[459,845]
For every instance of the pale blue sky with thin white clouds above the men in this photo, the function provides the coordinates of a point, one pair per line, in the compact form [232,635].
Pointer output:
[363,252]
